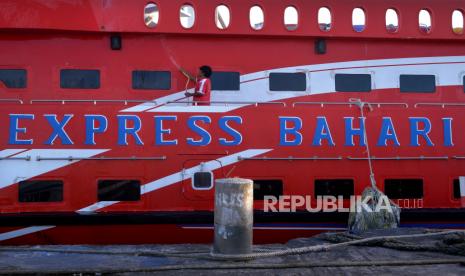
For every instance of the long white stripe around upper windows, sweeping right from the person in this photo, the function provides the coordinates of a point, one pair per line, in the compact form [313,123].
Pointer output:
[385,75]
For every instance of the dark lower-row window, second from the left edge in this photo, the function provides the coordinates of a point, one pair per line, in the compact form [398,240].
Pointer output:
[118,190]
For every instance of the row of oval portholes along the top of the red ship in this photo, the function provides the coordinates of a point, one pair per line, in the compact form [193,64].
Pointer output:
[291,18]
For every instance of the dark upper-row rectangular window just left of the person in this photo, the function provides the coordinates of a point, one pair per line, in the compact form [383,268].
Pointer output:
[156,80]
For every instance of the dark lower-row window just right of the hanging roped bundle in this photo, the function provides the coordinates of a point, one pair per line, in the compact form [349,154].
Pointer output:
[403,188]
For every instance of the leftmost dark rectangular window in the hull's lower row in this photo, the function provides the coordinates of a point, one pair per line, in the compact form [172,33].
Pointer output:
[41,191]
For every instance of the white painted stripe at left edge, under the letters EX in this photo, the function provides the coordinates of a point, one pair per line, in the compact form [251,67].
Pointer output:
[14,171]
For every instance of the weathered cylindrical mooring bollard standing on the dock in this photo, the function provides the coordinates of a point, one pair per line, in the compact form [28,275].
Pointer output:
[233,216]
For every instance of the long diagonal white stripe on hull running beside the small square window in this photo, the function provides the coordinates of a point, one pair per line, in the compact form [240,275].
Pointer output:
[181,175]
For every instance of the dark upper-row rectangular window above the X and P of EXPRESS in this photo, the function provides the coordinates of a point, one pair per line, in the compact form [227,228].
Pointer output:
[79,79]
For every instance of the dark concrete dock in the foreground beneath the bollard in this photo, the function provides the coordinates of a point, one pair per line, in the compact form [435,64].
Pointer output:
[430,255]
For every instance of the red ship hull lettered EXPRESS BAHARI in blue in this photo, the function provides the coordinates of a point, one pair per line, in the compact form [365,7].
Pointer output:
[115,131]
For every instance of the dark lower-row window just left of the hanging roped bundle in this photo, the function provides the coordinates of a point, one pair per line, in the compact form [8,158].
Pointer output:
[334,187]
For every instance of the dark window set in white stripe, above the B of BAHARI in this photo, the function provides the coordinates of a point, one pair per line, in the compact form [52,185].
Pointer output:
[288,82]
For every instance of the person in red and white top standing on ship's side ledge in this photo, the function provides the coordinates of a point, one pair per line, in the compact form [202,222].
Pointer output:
[202,90]
